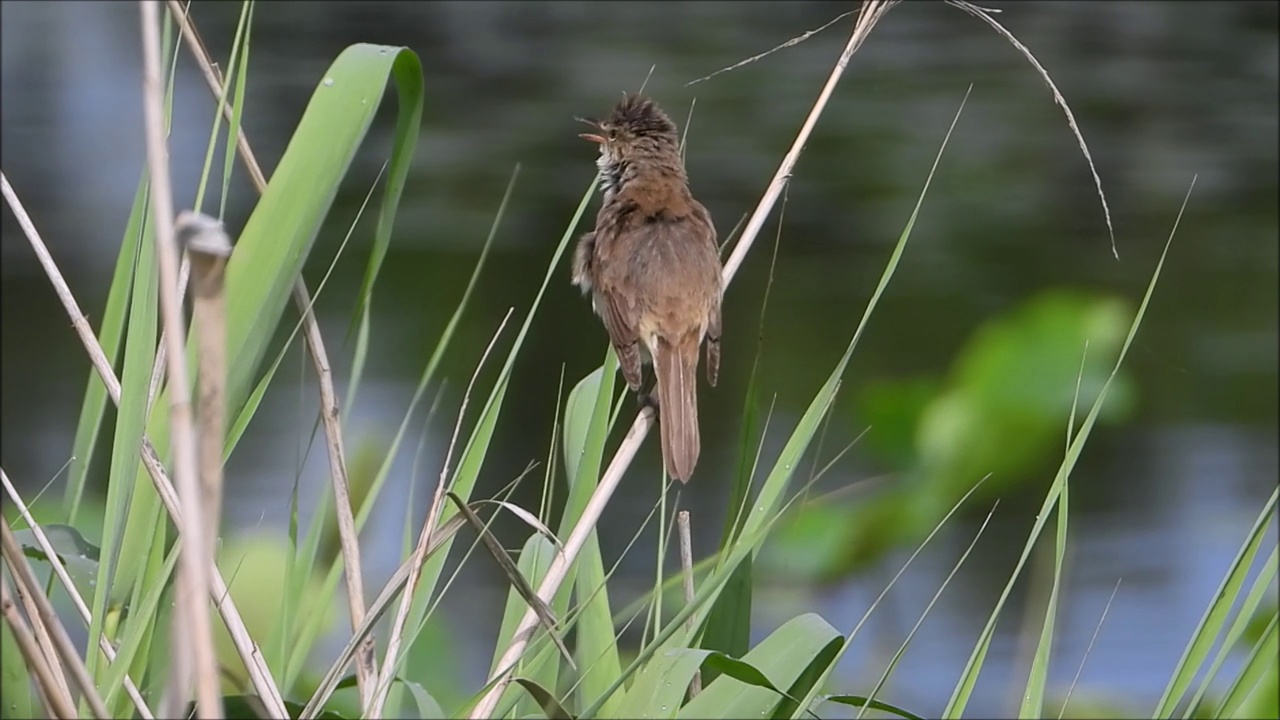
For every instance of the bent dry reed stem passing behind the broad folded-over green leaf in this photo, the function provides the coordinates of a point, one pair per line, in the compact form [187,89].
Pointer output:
[367,666]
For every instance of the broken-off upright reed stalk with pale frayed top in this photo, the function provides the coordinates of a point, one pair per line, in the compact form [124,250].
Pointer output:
[209,248]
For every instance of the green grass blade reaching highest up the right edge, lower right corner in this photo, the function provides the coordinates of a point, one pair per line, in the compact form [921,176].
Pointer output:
[1215,616]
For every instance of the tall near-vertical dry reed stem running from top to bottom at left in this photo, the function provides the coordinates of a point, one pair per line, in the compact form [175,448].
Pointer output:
[195,663]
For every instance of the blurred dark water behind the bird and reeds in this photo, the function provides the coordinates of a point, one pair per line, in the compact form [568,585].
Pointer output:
[1162,90]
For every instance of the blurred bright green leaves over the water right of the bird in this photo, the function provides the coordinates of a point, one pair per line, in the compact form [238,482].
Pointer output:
[1002,411]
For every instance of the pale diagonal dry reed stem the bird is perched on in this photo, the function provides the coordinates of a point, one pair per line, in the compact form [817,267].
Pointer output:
[871,12]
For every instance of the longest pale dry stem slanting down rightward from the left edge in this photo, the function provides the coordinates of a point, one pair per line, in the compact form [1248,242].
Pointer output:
[249,651]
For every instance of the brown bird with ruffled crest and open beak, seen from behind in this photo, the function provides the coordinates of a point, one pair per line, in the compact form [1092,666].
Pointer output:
[653,271]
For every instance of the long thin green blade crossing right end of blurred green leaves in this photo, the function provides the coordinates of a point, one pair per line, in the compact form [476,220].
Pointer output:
[970,676]
